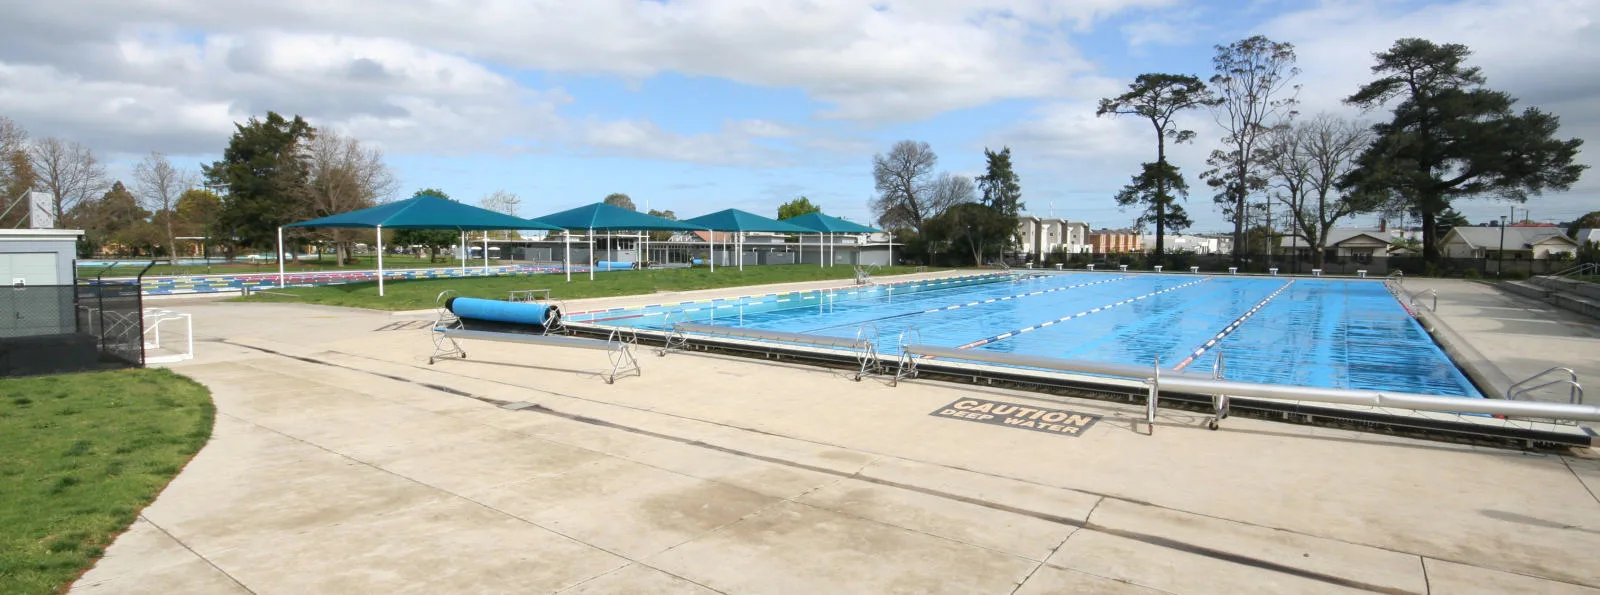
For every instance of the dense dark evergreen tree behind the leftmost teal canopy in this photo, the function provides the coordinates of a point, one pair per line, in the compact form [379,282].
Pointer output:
[268,177]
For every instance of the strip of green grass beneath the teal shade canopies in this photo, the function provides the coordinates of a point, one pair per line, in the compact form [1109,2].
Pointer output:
[422,294]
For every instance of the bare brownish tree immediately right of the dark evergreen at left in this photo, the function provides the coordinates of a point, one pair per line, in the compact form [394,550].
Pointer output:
[345,177]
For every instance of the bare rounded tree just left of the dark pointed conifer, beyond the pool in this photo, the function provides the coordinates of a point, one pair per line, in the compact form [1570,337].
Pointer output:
[905,183]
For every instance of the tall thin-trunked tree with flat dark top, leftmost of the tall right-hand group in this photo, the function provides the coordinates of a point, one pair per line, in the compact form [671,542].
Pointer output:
[1159,98]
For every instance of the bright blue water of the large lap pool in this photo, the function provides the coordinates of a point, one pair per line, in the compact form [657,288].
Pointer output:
[1303,332]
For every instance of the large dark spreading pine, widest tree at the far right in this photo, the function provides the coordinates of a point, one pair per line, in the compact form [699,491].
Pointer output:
[1452,138]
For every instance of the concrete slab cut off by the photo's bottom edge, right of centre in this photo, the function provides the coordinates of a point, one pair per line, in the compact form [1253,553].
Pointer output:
[799,549]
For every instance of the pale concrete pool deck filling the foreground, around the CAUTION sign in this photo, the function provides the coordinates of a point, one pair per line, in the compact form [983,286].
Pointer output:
[343,463]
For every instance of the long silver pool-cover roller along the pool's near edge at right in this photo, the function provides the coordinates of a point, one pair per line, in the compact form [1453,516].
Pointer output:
[1201,385]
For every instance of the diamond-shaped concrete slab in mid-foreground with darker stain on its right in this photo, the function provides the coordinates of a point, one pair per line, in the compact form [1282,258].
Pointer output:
[626,508]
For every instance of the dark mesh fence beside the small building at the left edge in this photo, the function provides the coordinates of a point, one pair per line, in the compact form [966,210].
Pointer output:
[63,329]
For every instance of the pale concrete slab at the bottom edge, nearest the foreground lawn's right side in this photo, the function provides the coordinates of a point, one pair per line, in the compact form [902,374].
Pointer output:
[449,546]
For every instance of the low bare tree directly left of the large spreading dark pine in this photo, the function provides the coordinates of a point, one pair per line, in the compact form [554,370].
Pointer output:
[1306,162]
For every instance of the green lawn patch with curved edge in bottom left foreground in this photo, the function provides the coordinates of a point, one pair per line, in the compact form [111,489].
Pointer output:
[82,457]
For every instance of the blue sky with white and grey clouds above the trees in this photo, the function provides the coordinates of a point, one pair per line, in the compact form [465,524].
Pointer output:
[705,105]
